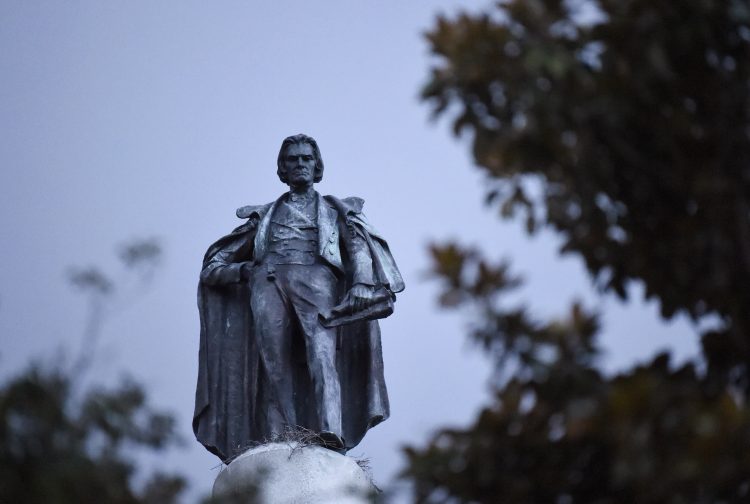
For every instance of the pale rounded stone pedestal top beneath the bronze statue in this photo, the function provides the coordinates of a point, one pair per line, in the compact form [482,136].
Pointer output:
[289,473]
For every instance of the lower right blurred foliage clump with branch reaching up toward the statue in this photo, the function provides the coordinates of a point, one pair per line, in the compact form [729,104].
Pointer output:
[560,430]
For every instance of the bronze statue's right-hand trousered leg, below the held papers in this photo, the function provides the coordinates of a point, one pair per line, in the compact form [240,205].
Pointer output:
[314,288]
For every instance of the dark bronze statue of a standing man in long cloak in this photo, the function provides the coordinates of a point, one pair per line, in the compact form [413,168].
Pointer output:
[288,304]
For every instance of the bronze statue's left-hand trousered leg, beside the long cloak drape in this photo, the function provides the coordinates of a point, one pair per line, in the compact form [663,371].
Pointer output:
[273,326]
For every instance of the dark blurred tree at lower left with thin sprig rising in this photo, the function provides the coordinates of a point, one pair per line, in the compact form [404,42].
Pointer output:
[64,442]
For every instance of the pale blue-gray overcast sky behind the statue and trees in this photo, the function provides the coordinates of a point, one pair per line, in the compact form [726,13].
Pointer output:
[121,120]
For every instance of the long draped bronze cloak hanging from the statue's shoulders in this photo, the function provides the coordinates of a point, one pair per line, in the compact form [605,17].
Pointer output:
[233,390]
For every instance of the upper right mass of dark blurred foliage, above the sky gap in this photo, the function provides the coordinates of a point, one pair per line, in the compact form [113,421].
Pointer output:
[635,122]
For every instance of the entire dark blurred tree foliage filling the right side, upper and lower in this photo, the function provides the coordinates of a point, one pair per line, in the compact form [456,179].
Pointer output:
[623,126]
